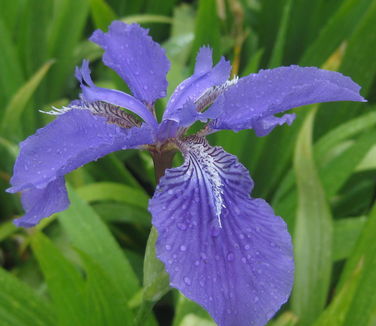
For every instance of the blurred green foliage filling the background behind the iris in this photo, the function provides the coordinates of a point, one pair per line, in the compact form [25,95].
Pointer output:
[86,265]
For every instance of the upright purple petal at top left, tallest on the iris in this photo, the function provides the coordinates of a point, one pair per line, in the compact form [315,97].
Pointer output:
[140,61]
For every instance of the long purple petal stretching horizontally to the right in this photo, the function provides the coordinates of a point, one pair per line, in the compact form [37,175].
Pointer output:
[260,96]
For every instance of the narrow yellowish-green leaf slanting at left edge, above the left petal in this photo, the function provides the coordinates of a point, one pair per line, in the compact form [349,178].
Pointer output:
[13,111]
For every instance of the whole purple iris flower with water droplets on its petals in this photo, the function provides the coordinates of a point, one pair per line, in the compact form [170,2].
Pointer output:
[222,248]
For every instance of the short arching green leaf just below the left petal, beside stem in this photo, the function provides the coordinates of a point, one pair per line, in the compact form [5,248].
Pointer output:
[101,191]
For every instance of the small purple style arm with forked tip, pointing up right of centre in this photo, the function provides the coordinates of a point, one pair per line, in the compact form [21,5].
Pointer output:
[204,77]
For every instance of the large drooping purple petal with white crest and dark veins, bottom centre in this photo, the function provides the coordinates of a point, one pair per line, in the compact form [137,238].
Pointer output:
[222,248]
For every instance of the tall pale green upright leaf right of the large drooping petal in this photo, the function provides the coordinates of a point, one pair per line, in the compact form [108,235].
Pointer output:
[313,232]
